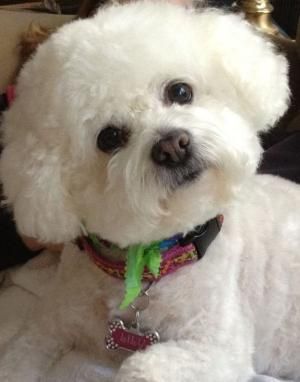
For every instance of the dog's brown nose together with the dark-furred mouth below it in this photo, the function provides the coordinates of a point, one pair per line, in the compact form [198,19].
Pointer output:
[175,157]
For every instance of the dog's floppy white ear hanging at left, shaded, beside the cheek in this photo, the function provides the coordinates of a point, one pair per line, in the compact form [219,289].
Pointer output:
[33,185]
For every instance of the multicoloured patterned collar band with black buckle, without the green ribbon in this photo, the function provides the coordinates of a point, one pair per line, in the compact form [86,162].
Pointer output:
[175,252]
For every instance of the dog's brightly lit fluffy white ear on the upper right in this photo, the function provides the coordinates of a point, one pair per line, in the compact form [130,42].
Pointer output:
[257,71]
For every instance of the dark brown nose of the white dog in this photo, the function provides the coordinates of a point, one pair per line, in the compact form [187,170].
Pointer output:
[173,149]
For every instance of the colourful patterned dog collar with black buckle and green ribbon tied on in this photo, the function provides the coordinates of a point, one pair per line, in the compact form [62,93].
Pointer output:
[157,259]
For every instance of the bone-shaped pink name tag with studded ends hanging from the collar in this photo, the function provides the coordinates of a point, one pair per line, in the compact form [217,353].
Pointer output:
[131,339]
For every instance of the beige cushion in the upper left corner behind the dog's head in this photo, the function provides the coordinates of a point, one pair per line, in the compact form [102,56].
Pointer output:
[12,25]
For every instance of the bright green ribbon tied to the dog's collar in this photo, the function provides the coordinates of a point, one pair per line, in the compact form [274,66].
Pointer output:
[139,257]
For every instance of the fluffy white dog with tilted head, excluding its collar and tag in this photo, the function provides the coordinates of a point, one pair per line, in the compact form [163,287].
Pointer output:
[139,124]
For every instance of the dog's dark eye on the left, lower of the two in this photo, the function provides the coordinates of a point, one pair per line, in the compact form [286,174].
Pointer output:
[111,138]
